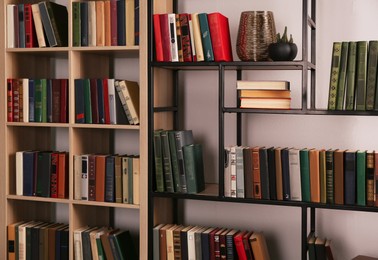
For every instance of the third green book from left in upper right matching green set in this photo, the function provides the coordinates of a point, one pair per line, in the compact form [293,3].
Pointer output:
[351,76]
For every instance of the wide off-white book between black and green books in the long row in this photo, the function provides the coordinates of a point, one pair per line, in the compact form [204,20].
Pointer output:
[295,175]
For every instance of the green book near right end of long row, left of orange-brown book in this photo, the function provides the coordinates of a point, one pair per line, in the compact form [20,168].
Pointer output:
[361,178]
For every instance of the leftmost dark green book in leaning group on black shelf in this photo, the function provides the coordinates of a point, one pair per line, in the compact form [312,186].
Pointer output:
[158,154]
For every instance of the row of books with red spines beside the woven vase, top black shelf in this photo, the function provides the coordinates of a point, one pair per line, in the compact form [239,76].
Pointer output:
[192,37]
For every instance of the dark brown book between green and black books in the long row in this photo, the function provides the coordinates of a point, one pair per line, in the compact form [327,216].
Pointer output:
[339,176]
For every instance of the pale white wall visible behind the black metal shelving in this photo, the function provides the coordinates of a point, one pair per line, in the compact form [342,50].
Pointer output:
[352,233]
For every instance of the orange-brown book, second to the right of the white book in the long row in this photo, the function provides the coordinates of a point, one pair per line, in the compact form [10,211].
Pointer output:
[314,175]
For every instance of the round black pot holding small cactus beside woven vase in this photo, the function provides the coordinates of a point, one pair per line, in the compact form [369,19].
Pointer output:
[282,51]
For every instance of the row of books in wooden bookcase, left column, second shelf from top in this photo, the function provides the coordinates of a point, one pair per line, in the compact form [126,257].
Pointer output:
[37,100]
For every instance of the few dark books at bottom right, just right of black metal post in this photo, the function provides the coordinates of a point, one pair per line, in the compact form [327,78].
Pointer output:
[319,248]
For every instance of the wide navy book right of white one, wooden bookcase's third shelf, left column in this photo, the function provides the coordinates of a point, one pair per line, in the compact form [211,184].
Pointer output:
[28,167]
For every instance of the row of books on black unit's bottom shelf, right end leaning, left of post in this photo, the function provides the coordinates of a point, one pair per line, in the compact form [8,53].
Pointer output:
[172,241]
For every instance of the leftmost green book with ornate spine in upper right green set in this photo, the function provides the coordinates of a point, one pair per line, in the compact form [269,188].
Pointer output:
[334,78]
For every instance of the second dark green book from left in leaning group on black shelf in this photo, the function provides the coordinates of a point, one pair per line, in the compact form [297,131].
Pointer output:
[167,162]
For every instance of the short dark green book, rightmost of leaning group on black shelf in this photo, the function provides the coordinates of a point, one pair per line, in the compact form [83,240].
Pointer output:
[194,169]
